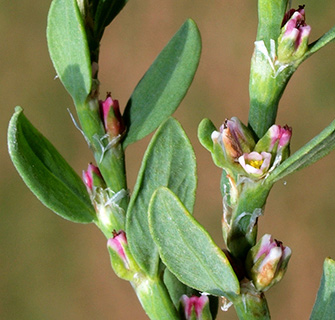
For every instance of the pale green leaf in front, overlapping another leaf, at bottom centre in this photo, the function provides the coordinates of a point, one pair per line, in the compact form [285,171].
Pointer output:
[187,249]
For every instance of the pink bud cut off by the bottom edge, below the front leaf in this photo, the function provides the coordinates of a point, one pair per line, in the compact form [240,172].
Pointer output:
[194,306]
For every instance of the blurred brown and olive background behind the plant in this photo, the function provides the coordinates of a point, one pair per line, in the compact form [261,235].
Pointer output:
[53,269]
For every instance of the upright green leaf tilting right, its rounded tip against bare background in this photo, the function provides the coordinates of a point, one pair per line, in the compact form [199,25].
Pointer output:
[164,85]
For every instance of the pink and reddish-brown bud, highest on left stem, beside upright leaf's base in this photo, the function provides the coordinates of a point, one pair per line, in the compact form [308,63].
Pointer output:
[112,119]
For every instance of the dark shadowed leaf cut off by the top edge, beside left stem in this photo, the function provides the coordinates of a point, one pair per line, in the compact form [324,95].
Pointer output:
[105,12]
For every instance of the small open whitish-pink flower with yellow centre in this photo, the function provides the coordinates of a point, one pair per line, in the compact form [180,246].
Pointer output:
[255,164]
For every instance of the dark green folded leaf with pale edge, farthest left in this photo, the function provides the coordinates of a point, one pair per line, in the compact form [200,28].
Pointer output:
[46,173]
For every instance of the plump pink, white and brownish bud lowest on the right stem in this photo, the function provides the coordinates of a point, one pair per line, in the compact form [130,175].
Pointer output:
[266,262]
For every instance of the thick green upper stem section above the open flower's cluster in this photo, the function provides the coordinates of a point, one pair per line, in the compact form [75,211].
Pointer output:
[266,86]
